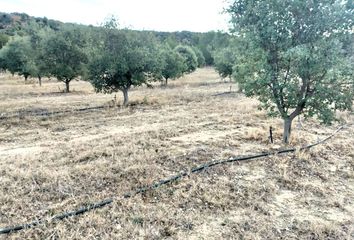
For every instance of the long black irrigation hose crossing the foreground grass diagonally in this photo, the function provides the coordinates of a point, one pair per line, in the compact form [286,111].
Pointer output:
[200,168]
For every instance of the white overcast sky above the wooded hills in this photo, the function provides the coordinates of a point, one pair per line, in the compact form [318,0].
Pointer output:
[160,15]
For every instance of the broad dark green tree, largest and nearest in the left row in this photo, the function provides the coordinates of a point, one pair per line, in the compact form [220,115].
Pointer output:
[126,59]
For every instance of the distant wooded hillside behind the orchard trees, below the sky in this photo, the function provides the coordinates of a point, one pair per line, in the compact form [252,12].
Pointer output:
[22,25]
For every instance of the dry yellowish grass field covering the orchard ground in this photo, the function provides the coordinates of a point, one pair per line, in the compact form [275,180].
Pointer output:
[58,162]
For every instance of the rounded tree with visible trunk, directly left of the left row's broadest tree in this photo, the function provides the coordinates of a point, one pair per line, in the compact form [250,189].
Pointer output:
[64,56]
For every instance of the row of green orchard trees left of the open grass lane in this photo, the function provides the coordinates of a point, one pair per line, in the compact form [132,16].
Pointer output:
[111,59]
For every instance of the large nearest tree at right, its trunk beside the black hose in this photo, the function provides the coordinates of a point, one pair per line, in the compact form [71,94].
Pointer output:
[293,58]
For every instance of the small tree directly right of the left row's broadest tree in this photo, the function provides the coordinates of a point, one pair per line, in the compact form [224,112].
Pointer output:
[172,64]
